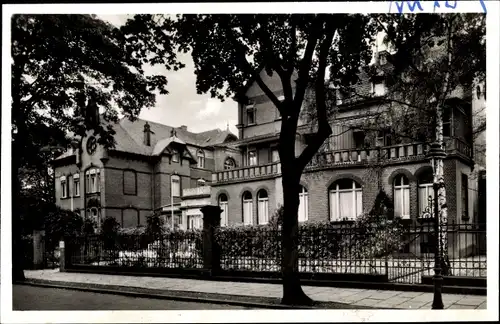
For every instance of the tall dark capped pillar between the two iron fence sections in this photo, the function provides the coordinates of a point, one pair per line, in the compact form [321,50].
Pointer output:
[211,251]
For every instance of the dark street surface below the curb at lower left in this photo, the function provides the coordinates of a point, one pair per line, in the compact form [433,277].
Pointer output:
[37,298]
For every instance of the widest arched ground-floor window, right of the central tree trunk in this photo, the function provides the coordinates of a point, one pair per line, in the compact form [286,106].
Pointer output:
[346,201]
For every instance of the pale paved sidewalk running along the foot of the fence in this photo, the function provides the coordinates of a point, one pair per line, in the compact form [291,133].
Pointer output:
[351,297]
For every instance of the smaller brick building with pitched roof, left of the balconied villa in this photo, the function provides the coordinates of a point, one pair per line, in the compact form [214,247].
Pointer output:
[147,171]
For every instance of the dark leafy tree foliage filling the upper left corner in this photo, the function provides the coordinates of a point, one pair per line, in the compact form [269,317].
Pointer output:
[64,69]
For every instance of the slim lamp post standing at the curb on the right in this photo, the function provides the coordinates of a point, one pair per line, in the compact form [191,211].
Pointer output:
[435,153]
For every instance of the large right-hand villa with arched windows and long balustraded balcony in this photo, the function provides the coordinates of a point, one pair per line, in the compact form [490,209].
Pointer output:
[343,179]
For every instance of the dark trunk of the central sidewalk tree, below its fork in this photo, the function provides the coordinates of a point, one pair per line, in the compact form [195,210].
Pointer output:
[292,290]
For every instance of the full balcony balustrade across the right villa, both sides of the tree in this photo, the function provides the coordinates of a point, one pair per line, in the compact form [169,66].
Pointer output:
[339,158]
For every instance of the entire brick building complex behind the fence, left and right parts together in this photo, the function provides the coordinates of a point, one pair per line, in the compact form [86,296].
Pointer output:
[173,171]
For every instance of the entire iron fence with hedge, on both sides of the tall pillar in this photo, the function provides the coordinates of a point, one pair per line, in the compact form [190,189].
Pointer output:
[401,254]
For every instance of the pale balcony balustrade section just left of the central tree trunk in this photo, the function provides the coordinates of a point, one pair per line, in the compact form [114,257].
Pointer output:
[247,173]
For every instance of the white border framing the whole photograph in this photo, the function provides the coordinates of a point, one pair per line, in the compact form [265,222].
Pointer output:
[262,315]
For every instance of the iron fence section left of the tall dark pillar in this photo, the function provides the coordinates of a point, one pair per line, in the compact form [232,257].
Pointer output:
[171,250]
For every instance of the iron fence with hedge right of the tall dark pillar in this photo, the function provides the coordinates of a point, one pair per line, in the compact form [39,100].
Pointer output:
[404,255]
